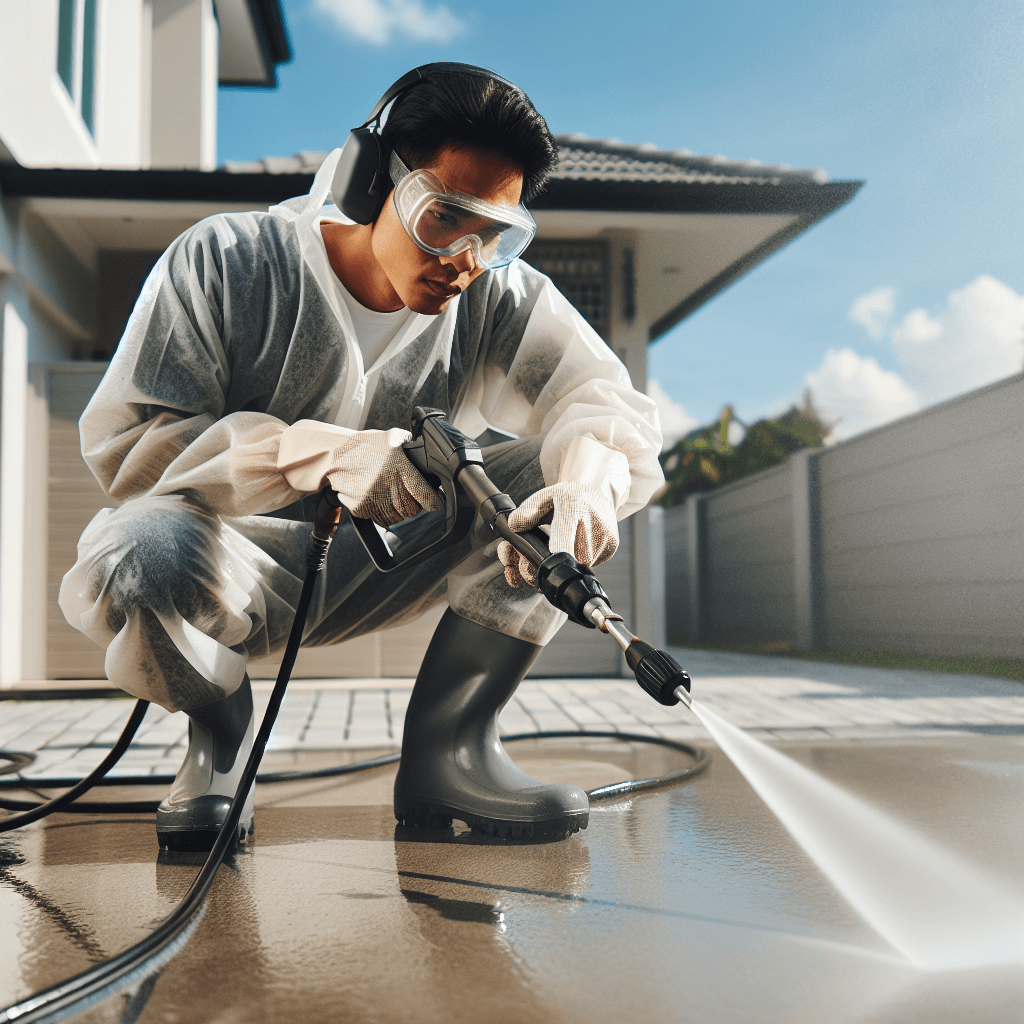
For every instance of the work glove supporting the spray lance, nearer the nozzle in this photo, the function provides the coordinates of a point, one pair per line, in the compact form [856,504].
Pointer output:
[583,523]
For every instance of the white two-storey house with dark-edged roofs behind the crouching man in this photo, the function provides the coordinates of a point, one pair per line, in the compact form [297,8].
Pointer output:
[107,157]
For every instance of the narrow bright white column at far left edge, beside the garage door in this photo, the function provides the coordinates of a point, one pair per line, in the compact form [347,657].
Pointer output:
[14,399]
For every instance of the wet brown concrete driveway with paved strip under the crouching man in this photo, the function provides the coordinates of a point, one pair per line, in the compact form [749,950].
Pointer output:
[692,904]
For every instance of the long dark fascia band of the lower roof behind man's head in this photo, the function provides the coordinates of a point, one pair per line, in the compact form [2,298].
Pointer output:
[564,194]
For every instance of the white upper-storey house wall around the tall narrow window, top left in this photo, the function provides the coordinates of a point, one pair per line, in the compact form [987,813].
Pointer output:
[155,94]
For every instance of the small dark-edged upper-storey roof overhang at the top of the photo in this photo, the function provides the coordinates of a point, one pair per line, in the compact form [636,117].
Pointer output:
[253,42]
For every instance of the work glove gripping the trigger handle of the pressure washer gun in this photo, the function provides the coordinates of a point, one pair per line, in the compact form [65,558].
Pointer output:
[376,481]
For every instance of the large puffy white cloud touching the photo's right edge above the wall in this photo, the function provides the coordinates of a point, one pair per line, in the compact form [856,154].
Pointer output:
[977,339]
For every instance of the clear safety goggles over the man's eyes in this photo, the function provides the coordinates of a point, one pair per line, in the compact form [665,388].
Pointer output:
[447,223]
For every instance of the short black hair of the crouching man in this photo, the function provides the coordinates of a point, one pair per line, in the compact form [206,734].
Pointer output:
[454,109]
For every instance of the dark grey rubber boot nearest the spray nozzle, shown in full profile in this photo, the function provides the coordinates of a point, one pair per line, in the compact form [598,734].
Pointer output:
[453,763]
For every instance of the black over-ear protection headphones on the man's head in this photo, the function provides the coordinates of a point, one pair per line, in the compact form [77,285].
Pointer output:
[362,182]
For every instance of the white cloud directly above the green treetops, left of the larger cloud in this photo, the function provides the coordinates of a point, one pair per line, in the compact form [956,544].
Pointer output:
[857,395]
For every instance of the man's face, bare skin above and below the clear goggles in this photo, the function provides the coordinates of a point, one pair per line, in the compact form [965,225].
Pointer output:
[424,282]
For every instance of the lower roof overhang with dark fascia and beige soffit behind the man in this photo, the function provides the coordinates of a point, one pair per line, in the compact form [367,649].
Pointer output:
[694,239]
